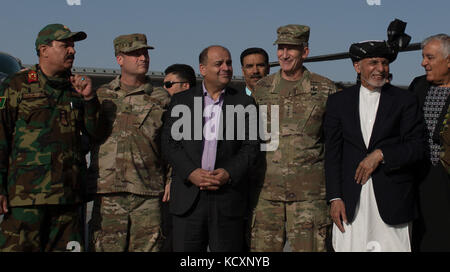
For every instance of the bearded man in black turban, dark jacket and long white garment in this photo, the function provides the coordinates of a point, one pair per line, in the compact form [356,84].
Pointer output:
[373,135]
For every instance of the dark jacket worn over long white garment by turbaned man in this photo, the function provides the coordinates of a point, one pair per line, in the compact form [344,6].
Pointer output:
[397,131]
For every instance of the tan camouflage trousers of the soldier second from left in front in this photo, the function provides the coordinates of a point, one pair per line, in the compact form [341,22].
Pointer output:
[125,222]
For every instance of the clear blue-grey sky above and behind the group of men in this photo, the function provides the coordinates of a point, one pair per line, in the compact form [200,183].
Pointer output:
[180,29]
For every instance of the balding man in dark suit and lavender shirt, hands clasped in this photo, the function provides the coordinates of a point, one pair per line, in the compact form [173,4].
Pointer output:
[210,158]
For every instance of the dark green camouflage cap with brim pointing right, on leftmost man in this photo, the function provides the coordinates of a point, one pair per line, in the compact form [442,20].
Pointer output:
[57,32]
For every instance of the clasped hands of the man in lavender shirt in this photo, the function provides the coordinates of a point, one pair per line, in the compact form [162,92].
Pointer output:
[209,180]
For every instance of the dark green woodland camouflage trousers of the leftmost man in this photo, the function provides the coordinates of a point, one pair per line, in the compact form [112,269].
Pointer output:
[42,228]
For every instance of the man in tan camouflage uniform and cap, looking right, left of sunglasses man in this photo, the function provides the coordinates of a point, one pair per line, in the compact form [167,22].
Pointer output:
[129,174]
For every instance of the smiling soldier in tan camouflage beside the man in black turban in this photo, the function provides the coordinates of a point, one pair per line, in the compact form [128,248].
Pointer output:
[292,201]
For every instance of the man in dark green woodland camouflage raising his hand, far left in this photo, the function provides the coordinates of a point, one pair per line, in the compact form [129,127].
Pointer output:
[43,111]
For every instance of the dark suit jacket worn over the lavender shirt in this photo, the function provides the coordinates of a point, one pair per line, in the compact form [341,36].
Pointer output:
[185,155]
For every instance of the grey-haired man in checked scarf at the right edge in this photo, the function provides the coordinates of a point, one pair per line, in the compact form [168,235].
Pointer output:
[430,231]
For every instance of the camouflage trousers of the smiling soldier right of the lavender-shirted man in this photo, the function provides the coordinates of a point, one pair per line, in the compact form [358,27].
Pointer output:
[305,224]
